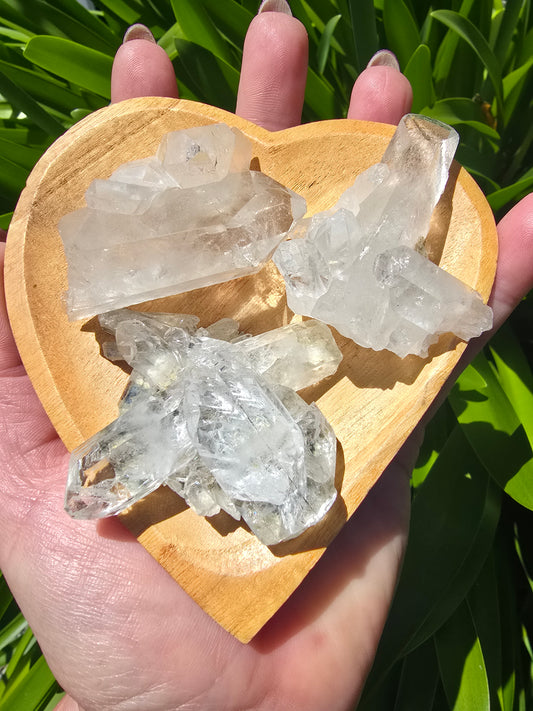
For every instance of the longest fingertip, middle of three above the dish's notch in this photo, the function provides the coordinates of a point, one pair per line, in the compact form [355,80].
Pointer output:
[274,70]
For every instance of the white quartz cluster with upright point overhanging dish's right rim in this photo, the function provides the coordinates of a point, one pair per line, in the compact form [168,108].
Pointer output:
[358,267]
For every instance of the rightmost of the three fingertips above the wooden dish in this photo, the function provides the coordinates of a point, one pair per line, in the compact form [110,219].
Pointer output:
[381,92]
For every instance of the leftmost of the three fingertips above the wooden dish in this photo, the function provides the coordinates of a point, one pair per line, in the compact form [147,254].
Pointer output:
[141,68]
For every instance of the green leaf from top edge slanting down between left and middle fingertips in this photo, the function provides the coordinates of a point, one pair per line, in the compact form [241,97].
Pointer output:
[199,29]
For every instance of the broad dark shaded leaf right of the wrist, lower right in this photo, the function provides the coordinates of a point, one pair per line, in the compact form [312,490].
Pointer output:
[453,520]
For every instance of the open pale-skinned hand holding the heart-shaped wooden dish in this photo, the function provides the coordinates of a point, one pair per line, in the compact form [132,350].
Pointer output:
[117,631]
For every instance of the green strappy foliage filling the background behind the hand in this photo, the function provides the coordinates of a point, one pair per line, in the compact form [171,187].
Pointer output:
[460,632]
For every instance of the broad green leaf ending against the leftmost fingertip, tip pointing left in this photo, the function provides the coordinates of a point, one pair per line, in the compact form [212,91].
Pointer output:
[83,66]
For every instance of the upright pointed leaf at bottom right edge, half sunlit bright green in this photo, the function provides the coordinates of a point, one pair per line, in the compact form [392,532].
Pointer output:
[461,663]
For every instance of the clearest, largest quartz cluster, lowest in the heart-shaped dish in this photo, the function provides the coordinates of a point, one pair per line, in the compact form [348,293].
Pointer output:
[218,421]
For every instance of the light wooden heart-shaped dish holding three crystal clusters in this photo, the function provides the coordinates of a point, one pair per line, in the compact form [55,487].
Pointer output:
[373,402]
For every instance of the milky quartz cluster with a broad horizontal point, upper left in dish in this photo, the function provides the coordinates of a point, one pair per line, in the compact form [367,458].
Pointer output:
[191,216]
